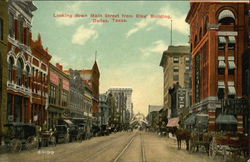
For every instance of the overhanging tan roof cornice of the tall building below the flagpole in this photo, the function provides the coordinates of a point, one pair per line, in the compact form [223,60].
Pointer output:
[174,50]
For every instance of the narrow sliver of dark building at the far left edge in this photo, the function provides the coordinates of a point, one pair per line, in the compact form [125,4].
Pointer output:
[4,30]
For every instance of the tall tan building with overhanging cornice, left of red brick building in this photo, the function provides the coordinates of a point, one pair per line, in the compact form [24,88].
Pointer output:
[175,62]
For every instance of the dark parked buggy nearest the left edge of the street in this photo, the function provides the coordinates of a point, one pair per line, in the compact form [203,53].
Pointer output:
[21,136]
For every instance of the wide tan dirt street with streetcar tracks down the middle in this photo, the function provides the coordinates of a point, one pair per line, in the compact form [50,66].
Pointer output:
[136,146]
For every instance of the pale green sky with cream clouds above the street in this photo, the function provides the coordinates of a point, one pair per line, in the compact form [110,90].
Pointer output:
[128,53]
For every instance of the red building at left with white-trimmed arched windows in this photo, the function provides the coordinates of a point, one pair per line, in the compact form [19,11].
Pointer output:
[21,63]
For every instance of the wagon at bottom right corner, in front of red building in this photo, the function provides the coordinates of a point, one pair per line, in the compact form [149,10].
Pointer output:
[233,145]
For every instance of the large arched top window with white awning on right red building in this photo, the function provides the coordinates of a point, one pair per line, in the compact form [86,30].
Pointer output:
[226,17]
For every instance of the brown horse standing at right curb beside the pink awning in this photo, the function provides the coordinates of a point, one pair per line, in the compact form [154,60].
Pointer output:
[182,134]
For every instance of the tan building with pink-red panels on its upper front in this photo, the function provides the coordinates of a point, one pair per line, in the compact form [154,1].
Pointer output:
[59,95]
